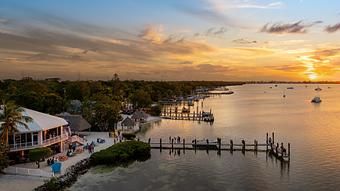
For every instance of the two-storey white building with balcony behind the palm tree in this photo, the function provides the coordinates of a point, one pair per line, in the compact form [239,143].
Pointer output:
[44,131]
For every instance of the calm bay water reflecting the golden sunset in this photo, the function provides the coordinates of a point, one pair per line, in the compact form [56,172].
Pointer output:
[313,131]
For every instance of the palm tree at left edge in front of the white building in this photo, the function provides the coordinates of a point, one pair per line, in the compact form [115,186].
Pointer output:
[10,118]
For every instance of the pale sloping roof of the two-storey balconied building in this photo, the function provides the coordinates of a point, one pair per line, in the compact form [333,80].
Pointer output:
[41,121]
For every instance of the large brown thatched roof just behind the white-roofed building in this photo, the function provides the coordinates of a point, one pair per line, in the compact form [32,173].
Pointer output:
[77,122]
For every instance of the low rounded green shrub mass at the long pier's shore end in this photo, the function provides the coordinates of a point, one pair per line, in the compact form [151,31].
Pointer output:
[121,154]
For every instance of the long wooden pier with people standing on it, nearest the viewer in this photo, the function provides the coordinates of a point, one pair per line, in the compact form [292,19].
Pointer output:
[278,150]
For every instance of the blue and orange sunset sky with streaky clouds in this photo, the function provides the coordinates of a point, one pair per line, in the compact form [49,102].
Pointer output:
[171,39]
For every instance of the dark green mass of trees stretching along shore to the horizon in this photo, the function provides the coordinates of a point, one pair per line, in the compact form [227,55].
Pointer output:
[100,101]
